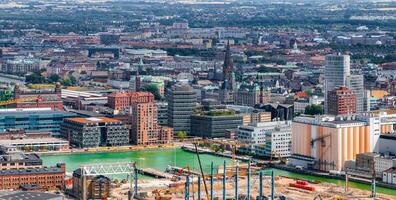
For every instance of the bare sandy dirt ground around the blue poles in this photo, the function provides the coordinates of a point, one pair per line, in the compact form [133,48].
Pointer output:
[150,189]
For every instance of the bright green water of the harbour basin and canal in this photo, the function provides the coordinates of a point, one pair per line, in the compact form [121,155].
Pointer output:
[160,159]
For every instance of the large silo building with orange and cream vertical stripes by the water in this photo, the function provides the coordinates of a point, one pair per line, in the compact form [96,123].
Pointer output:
[326,142]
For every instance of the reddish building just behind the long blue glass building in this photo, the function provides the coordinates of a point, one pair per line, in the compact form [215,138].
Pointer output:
[43,98]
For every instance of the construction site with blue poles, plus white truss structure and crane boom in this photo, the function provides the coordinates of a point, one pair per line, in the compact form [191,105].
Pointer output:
[233,180]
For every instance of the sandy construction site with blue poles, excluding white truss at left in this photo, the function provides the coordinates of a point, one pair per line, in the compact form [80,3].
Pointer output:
[243,184]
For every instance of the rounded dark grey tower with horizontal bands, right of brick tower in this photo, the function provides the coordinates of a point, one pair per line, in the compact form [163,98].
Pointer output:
[181,101]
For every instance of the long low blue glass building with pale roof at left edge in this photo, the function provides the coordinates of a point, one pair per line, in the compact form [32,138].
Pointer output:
[32,119]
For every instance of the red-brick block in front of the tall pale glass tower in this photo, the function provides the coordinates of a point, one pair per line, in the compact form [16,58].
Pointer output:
[341,101]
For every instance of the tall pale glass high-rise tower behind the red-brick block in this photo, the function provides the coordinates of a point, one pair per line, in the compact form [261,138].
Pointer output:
[338,73]
